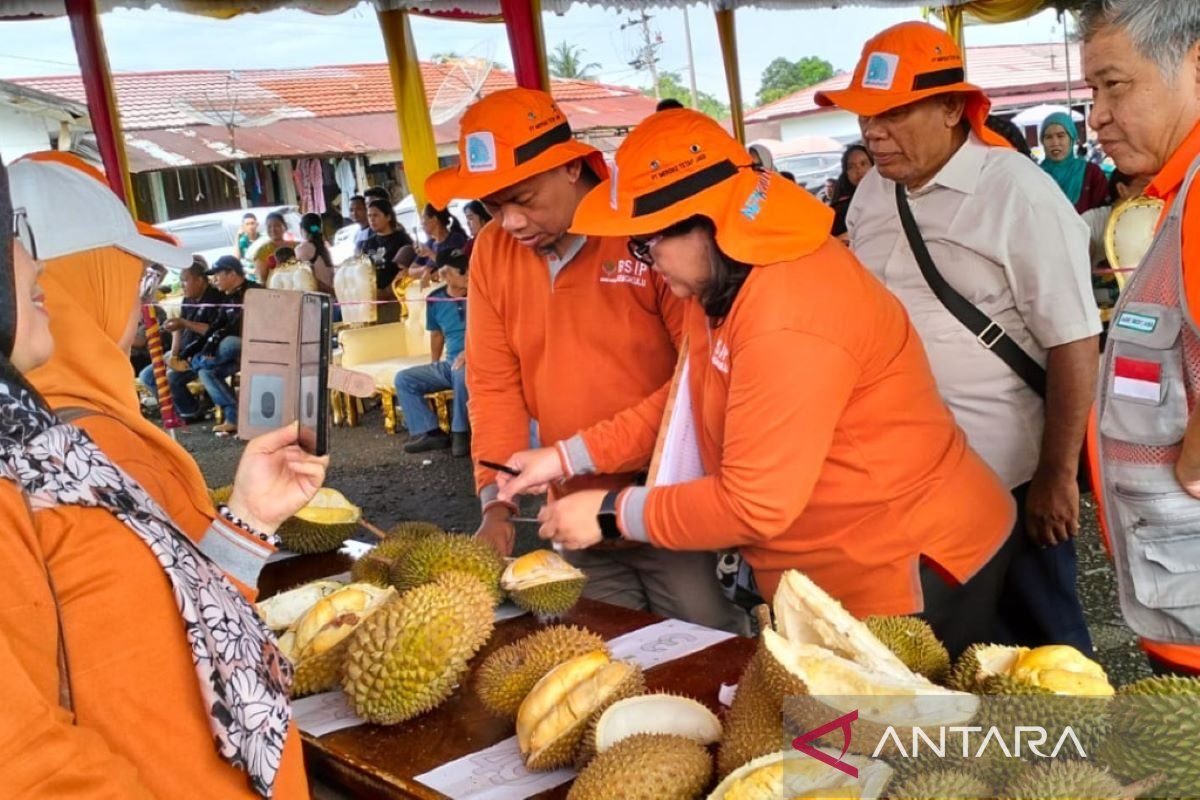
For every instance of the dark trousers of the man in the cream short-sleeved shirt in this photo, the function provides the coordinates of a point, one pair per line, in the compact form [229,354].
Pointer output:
[1040,604]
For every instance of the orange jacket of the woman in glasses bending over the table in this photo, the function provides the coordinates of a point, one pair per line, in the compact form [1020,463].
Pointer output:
[825,443]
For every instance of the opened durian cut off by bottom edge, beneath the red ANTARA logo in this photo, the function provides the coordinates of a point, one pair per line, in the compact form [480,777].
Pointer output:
[791,774]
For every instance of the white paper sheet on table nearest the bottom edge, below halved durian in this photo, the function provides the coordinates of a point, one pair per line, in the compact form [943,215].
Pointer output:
[495,774]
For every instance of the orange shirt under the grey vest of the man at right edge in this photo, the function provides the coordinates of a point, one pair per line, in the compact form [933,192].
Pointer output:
[1167,187]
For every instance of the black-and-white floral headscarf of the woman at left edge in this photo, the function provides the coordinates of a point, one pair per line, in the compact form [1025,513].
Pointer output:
[243,677]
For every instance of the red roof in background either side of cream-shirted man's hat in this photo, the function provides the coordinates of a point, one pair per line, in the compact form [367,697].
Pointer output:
[1000,70]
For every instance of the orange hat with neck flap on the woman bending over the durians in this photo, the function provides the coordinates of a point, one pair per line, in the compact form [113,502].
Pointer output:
[681,164]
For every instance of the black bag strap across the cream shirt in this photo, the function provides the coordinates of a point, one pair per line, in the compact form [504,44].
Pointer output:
[987,332]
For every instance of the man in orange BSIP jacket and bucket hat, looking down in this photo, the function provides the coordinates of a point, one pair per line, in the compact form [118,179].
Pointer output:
[565,330]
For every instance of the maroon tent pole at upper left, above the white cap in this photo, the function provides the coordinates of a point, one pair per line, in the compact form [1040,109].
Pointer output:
[98,83]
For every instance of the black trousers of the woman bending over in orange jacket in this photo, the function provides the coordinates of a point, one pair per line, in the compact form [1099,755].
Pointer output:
[964,615]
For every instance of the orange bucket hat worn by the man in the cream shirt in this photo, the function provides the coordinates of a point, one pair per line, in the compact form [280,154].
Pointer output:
[908,63]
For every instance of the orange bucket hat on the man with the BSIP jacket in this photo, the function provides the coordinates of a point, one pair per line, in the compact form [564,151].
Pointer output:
[506,139]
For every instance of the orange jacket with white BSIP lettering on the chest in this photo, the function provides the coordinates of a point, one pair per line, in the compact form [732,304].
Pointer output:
[568,353]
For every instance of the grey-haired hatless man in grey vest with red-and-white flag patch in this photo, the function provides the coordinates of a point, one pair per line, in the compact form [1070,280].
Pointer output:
[1142,58]
